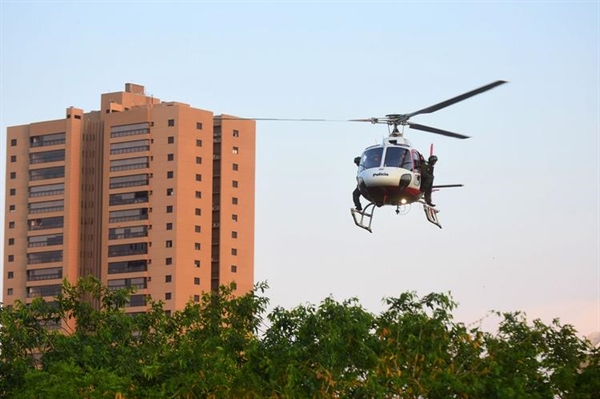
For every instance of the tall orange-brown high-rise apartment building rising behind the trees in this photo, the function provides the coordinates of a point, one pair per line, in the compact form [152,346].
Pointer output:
[144,193]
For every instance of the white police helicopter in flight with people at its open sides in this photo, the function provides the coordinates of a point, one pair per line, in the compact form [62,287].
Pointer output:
[393,172]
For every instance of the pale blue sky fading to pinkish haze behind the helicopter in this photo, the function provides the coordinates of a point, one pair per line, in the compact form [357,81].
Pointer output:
[521,235]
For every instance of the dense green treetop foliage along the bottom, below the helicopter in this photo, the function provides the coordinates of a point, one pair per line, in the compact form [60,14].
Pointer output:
[222,347]
